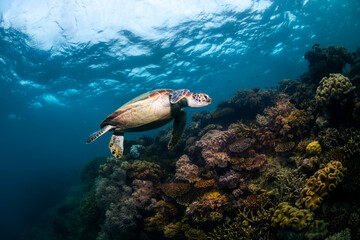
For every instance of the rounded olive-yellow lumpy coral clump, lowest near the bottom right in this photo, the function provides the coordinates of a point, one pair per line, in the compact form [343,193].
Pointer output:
[287,216]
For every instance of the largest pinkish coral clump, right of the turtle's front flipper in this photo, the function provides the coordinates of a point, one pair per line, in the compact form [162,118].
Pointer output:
[213,145]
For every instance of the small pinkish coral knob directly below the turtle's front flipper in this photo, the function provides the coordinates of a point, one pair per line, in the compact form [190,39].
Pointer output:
[186,171]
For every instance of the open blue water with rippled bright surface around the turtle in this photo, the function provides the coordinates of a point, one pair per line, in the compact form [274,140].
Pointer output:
[66,65]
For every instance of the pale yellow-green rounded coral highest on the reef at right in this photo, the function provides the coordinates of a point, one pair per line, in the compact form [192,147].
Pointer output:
[333,89]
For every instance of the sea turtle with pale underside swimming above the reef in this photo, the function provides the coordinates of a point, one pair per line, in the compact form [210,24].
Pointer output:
[148,111]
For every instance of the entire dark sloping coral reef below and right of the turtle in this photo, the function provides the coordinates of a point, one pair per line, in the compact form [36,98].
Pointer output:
[266,164]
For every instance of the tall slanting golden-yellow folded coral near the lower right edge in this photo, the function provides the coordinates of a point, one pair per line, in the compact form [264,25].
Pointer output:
[320,184]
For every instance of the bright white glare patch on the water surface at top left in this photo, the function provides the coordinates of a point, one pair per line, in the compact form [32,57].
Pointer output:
[52,23]
